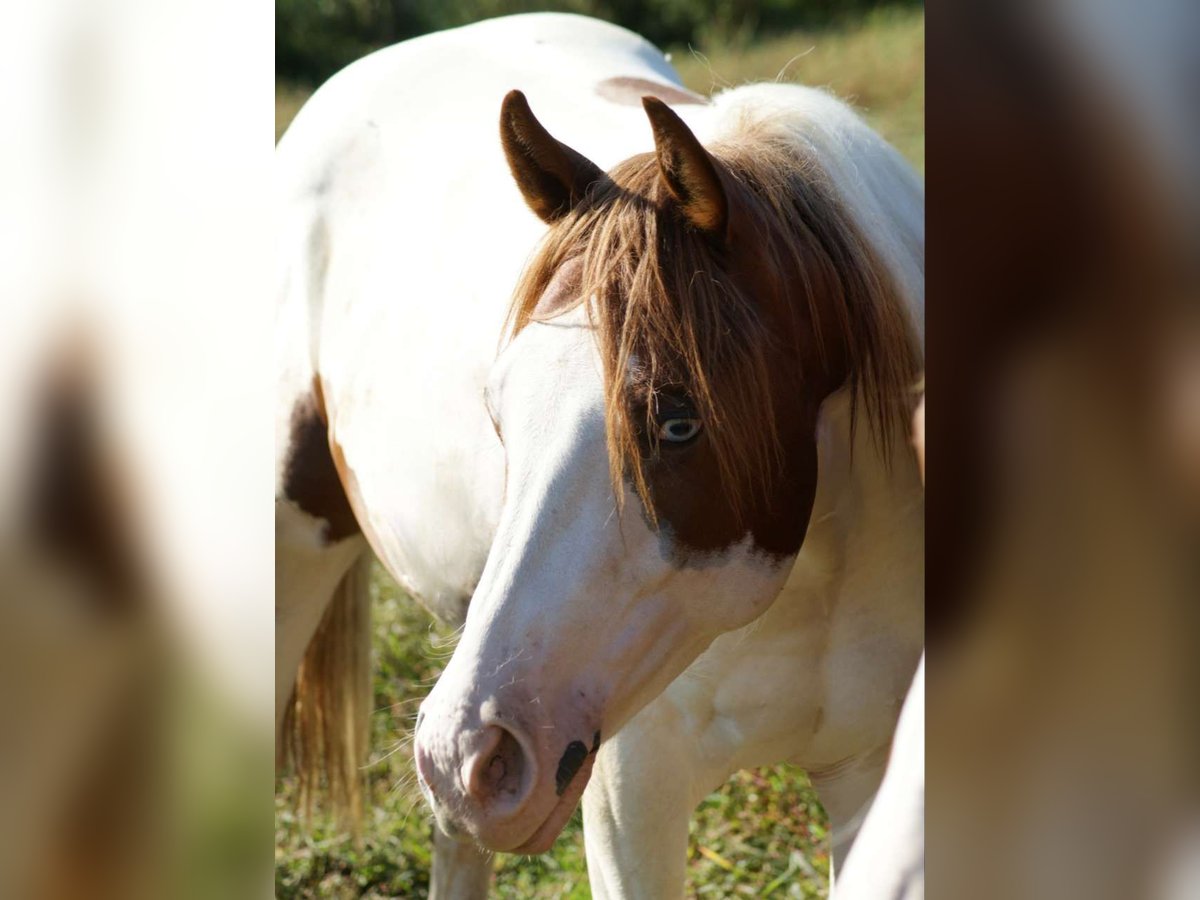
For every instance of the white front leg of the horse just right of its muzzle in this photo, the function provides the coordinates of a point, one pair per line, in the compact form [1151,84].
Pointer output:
[645,785]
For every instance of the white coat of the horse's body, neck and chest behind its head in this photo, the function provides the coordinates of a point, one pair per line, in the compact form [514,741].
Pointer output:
[403,239]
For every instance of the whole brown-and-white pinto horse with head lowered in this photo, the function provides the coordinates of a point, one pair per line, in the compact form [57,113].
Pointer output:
[629,404]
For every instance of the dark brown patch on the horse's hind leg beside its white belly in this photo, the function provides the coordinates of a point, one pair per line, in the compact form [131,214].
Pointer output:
[313,479]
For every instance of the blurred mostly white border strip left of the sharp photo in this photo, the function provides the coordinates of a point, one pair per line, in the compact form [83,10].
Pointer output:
[136,460]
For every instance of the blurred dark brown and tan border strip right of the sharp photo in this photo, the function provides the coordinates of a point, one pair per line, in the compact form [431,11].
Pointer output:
[1065,431]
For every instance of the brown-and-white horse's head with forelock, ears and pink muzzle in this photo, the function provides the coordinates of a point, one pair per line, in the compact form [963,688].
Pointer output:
[658,399]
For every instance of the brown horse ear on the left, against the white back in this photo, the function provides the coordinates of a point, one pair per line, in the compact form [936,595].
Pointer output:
[553,177]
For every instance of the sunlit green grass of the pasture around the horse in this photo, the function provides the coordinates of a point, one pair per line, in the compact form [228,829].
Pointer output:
[764,833]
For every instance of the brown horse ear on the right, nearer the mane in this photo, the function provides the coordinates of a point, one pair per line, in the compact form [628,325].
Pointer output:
[688,170]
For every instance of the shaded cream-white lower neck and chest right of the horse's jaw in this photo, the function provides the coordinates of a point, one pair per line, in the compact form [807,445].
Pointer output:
[817,679]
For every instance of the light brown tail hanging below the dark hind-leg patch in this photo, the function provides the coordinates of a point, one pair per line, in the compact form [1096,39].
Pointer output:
[326,727]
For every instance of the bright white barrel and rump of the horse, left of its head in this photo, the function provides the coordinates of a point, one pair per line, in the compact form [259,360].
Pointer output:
[403,237]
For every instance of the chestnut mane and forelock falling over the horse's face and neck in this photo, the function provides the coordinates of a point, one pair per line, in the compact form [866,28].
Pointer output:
[668,311]
